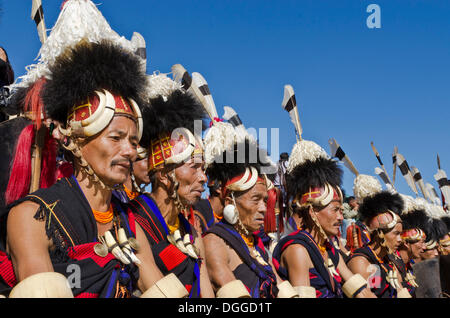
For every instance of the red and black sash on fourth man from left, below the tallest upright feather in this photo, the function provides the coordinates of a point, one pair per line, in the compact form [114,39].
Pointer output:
[321,280]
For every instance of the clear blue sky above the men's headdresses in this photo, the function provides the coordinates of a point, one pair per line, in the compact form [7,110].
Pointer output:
[388,85]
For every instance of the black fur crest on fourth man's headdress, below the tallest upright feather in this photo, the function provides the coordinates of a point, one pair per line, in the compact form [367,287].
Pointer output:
[313,175]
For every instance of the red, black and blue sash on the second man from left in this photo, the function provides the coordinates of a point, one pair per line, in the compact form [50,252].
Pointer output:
[168,257]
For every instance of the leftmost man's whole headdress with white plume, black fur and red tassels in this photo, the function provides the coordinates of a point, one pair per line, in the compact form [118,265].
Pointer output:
[86,73]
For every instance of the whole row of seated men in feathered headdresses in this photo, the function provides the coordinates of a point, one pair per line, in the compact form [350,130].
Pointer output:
[107,173]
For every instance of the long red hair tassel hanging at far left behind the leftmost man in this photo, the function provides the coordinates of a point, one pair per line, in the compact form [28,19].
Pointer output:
[19,180]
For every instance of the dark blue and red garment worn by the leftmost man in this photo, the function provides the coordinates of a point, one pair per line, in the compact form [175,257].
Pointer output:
[71,225]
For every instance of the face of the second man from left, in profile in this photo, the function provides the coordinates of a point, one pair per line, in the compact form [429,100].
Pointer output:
[191,179]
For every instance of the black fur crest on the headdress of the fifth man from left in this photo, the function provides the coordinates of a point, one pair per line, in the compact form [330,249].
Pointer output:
[380,203]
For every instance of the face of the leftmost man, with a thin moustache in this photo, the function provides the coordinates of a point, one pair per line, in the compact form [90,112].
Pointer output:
[109,153]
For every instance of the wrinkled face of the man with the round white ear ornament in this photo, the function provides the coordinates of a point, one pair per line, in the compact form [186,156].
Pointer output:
[252,205]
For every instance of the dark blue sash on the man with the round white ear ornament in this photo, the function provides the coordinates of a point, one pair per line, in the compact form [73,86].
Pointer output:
[260,280]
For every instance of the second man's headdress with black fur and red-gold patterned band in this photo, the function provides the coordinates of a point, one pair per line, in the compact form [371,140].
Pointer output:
[171,139]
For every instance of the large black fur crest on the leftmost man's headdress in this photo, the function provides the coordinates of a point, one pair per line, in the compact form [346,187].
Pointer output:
[87,67]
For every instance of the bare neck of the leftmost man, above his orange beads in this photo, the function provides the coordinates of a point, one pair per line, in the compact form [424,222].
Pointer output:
[99,199]
